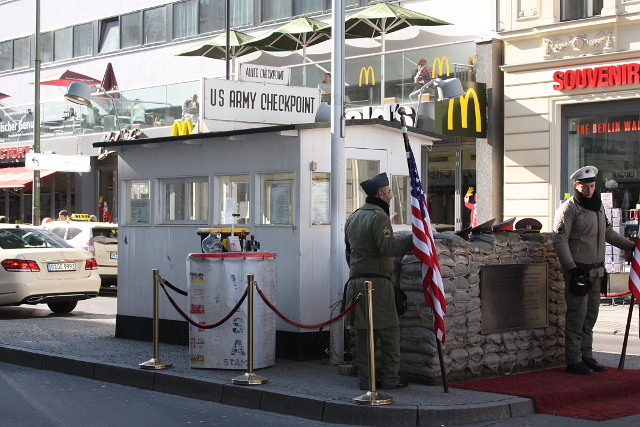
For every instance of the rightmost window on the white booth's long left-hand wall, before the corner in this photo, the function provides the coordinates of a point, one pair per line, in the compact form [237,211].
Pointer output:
[277,198]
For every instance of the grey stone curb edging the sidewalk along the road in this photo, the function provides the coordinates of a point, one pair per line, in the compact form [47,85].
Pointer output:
[299,405]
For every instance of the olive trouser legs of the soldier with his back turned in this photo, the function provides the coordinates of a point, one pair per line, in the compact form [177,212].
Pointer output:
[390,356]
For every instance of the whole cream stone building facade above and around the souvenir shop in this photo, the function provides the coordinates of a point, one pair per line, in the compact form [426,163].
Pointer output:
[572,87]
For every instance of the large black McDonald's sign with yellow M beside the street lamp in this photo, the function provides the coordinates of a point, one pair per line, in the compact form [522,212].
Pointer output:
[465,115]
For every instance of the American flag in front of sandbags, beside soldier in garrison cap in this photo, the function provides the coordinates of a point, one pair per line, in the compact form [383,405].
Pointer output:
[424,247]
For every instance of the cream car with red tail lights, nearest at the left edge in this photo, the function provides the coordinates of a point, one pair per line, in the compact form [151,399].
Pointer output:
[39,267]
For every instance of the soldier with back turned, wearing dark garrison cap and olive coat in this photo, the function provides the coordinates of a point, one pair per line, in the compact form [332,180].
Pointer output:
[370,246]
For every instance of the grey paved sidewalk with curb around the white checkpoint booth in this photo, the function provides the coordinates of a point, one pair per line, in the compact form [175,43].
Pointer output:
[84,344]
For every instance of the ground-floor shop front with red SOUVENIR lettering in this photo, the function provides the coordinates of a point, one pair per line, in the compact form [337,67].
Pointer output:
[560,118]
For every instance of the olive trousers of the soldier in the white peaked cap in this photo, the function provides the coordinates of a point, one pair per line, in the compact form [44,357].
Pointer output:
[582,313]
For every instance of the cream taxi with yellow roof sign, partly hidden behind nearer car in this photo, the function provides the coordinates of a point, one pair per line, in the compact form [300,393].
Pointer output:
[99,238]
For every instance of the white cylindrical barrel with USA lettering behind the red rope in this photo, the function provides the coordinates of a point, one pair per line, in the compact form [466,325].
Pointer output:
[216,282]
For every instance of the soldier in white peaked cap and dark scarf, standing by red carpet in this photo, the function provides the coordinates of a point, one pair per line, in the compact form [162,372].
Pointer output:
[579,235]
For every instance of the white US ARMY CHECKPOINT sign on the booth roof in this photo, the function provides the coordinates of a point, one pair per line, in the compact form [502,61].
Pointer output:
[259,102]
